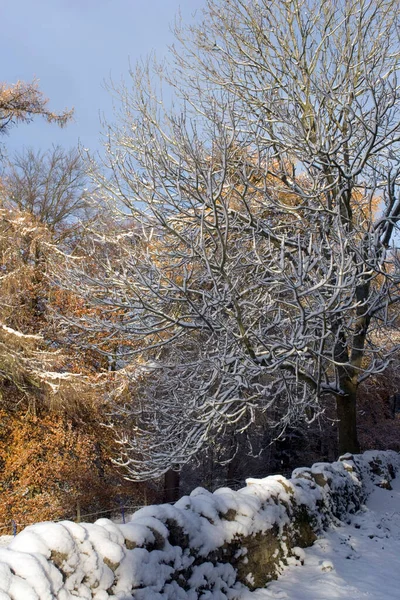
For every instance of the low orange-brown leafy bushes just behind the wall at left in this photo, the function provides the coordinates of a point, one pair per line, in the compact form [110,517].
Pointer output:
[48,466]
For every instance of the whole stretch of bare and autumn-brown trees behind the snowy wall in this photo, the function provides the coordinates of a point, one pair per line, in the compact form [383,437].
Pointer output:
[215,296]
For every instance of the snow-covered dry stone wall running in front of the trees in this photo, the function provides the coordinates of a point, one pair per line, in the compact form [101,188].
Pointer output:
[207,545]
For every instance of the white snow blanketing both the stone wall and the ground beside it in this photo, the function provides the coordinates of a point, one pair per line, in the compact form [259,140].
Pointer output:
[194,548]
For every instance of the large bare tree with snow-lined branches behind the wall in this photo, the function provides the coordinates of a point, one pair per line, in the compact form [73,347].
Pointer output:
[259,274]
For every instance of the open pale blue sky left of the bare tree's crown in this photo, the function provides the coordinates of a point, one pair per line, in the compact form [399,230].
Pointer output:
[73,47]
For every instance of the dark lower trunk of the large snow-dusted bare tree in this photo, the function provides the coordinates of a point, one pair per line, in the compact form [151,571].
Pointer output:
[346,408]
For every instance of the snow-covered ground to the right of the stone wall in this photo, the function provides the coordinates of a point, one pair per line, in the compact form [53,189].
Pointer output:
[358,561]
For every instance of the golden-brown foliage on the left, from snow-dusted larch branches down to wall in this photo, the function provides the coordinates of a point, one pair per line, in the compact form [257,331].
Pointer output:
[54,451]
